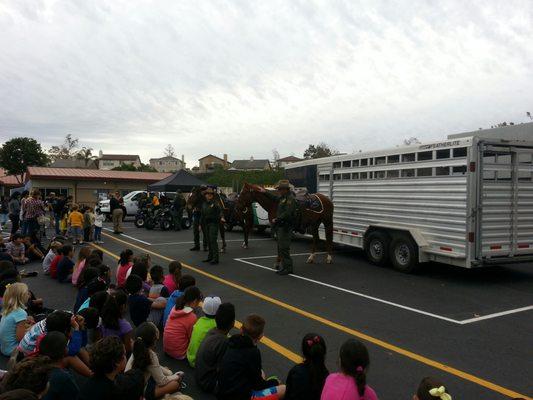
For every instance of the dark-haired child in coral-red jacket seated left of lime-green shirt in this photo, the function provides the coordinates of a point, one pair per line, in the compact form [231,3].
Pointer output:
[178,329]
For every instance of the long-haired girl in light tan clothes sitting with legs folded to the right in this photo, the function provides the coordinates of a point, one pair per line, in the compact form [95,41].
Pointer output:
[158,380]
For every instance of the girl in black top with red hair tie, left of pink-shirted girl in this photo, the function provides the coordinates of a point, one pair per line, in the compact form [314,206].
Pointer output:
[306,380]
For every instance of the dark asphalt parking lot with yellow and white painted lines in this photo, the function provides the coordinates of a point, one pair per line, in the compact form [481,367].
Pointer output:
[470,328]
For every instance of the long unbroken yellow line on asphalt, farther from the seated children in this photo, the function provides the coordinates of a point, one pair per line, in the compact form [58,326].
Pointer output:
[378,342]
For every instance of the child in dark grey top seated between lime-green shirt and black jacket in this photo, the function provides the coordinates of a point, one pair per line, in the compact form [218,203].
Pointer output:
[209,355]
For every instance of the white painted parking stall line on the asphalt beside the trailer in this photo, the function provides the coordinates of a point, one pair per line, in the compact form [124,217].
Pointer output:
[383,301]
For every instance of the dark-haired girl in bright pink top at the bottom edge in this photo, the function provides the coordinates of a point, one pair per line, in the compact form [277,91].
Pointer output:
[350,384]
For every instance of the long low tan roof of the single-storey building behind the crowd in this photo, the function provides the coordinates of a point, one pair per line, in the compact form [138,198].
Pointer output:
[93,174]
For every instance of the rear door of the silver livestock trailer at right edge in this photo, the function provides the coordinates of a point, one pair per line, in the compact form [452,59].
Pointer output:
[506,202]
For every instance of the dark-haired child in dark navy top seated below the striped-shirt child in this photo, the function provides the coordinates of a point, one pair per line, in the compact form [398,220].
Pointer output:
[62,385]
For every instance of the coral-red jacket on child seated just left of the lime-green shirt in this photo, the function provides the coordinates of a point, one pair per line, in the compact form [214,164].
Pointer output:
[178,331]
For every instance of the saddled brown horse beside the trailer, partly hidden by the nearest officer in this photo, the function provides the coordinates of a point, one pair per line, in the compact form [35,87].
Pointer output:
[310,219]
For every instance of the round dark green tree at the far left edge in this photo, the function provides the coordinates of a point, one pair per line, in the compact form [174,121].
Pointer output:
[17,154]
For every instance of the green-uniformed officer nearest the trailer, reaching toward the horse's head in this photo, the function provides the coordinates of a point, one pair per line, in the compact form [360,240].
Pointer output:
[284,224]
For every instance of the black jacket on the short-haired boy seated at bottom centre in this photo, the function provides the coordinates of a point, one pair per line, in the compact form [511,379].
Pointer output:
[240,372]
